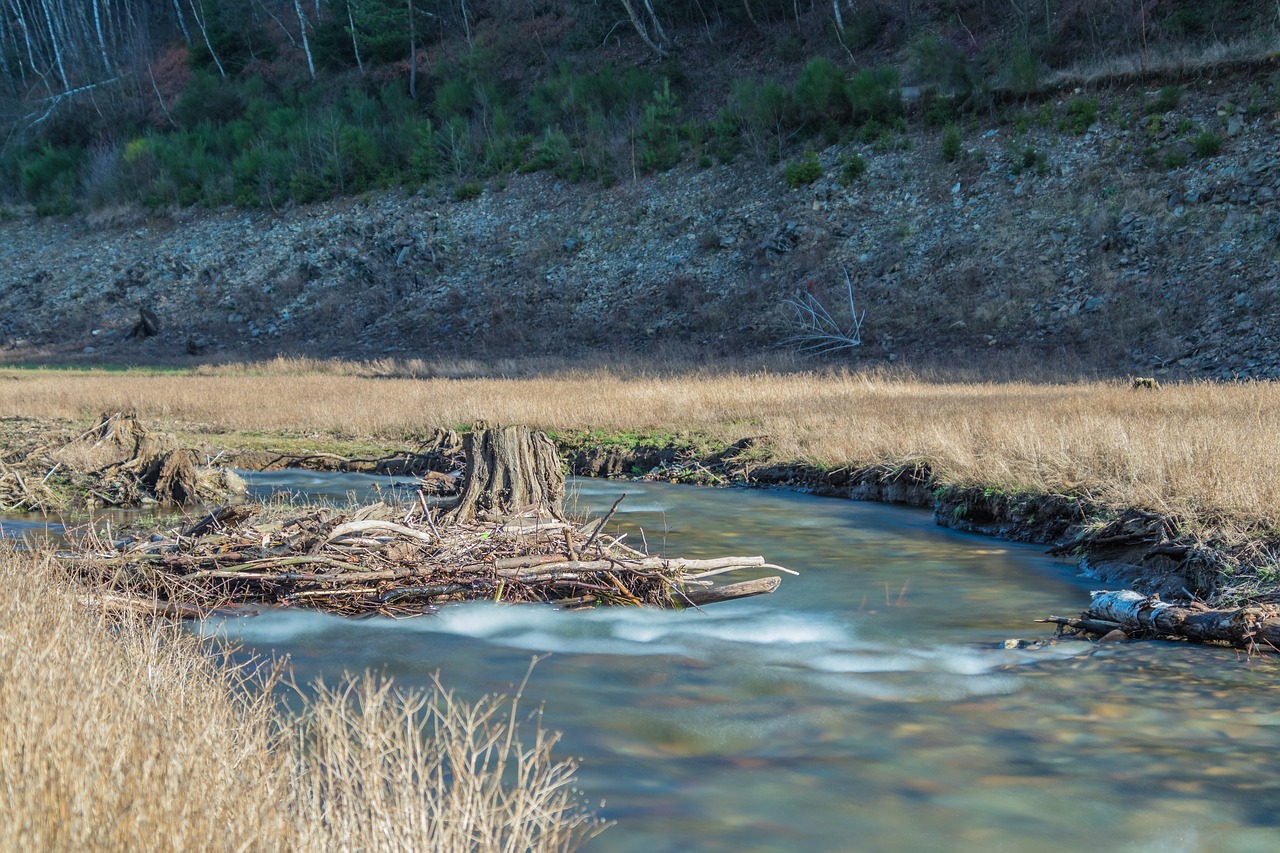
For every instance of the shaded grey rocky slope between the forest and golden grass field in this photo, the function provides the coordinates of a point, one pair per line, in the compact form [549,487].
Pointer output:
[1118,250]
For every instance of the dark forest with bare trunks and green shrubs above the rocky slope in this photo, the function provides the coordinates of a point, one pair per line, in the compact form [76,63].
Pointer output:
[263,103]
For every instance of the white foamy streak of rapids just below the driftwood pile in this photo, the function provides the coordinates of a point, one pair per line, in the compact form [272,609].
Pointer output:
[825,646]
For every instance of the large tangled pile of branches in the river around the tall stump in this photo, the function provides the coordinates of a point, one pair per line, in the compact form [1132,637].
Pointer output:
[395,562]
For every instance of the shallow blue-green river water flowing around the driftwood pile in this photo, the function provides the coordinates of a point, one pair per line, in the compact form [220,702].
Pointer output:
[865,706]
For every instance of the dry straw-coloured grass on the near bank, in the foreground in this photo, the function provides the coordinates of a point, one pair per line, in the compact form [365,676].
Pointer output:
[125,736]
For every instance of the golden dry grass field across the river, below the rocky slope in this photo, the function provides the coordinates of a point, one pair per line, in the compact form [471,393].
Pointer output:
[1210,453]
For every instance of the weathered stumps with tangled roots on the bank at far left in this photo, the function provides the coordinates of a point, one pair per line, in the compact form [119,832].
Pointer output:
[116,463]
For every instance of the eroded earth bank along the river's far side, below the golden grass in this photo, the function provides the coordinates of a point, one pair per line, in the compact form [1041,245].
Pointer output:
[1145,550]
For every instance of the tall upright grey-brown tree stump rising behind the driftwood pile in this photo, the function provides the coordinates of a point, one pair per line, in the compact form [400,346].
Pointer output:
[509,471]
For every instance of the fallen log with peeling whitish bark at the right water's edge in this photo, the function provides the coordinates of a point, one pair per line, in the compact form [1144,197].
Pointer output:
[1137,615]
